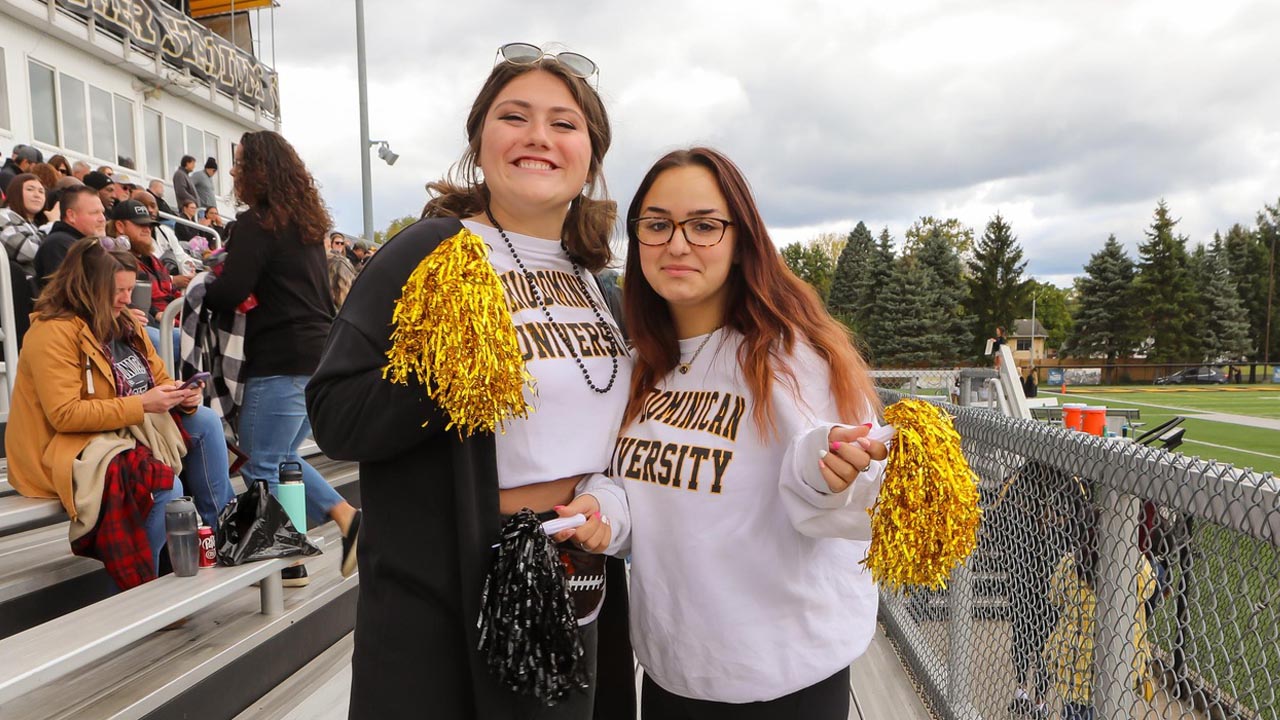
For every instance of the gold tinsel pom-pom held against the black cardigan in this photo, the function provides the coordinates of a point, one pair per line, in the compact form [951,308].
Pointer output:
[454,334]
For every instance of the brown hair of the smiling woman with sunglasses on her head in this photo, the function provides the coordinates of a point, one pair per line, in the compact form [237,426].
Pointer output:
[592,216]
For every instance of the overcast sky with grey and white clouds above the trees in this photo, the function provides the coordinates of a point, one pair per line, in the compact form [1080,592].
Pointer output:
[1071,119]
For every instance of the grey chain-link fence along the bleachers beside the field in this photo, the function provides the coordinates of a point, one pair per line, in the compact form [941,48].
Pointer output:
[1112,581]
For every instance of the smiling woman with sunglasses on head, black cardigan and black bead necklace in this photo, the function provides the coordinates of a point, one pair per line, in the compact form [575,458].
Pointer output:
[435,496]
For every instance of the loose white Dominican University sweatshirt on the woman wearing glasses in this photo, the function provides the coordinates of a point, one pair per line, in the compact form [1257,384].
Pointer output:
[746,577]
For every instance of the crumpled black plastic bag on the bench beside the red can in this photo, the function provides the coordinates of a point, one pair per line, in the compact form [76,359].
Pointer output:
[254,527]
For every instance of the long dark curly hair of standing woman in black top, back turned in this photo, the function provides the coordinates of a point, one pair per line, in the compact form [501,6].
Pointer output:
[272,180]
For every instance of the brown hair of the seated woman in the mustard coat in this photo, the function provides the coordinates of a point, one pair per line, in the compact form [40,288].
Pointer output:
[84,288]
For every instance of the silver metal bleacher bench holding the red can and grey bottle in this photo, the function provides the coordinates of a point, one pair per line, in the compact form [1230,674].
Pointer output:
[71,642]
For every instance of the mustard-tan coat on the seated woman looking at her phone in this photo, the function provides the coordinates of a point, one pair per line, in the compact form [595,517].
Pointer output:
[65,395]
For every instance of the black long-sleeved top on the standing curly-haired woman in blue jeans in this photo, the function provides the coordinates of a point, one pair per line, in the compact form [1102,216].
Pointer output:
[285,335]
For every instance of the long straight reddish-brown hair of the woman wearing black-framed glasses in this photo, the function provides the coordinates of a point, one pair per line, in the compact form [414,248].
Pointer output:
[767,304]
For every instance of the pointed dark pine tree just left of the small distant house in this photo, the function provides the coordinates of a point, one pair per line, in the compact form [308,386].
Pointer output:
[996,285]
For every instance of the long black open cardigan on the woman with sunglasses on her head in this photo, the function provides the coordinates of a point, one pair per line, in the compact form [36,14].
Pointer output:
[431,504]
